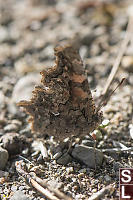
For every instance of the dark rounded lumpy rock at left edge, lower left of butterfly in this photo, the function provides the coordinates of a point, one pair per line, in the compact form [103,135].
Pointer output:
[12,142]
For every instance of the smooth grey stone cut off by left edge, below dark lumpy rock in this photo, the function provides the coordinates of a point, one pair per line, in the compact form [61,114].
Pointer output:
[3,158]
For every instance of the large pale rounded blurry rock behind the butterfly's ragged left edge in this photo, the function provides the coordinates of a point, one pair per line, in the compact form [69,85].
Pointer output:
[23,88]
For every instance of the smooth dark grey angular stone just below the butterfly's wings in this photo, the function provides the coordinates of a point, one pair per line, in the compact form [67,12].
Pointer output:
[87,155]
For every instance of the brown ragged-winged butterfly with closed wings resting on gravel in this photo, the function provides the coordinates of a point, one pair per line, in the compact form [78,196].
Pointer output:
[62,105]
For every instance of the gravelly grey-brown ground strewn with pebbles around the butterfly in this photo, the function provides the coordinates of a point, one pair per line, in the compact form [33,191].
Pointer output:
[29,31]
